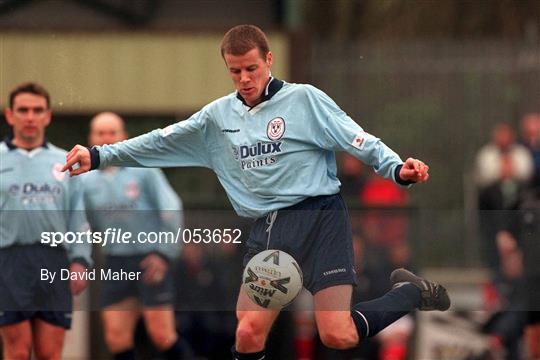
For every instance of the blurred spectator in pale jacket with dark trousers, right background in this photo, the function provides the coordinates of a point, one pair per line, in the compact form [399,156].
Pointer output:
[502,171]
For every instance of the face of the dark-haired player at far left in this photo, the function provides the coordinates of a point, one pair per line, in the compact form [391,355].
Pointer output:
[29,117]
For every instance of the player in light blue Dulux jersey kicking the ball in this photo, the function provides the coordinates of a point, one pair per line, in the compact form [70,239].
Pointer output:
[271,145]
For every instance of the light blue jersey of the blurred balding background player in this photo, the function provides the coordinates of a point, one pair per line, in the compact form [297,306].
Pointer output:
[138,201]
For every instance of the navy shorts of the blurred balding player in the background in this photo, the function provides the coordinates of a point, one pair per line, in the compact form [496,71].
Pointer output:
[114,291]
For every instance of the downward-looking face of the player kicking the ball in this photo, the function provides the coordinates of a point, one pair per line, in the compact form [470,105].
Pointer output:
[250,73]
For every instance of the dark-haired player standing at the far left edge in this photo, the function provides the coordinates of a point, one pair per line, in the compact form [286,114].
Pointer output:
[35,197]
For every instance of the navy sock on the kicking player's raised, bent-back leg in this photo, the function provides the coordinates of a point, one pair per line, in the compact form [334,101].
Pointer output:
[370,317]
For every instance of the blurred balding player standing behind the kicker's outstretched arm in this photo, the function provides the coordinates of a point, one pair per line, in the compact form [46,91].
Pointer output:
[139,201]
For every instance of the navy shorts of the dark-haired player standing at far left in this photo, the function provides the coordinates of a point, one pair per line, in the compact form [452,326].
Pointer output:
[24,295]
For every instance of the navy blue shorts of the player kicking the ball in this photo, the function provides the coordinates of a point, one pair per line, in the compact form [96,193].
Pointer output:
[317,233]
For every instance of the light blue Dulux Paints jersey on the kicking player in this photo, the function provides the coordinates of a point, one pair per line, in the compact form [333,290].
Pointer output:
[267,157]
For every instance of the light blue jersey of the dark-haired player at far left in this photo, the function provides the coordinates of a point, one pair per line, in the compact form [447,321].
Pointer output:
[35,197]
